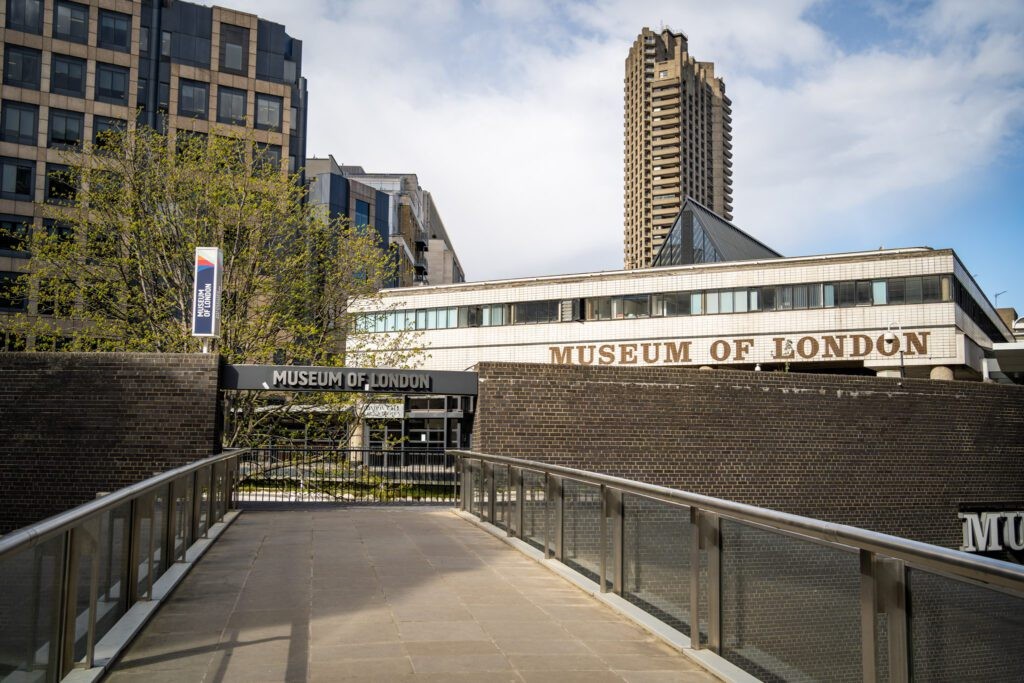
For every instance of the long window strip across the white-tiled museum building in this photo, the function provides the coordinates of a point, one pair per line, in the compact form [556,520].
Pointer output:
[929,289]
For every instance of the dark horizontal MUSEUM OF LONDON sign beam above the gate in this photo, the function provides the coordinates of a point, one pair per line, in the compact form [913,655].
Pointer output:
[367,380]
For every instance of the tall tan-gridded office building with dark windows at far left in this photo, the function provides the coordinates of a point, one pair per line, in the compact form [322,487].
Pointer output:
[74,70]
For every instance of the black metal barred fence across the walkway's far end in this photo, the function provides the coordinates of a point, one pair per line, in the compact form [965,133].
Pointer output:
[302,475]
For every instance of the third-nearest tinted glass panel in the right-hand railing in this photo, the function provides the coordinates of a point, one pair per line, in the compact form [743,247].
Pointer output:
[657,542]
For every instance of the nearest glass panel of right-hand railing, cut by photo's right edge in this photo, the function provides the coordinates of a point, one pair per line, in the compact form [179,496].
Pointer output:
[963,632]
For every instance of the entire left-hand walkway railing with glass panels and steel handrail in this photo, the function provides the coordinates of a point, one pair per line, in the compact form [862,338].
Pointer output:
[66,581]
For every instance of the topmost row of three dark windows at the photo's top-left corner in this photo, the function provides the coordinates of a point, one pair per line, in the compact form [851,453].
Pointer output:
[71,23]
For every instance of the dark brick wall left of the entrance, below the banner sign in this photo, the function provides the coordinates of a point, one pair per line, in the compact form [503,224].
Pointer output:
[75,424]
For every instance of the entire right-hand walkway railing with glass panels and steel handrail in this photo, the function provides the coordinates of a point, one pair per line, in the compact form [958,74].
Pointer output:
[782,596]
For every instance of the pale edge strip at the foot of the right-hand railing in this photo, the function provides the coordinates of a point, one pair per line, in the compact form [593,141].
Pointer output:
[675,639]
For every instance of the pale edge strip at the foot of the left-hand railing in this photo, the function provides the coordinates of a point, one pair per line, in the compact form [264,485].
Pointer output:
[122,633]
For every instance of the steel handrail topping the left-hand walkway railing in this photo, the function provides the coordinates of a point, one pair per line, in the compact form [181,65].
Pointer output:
[33,535]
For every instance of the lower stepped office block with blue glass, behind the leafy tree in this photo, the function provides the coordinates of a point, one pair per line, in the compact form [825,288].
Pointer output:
[403,214]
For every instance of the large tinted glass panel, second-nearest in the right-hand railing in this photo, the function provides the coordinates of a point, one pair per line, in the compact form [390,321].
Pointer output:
[791,608]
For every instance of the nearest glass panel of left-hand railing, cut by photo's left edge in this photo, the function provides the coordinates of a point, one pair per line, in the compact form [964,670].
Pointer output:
[29,607]
